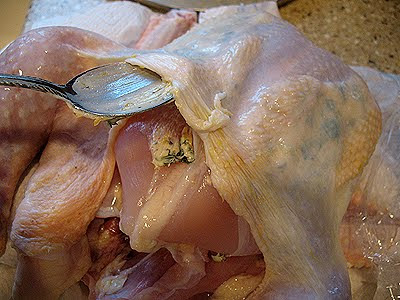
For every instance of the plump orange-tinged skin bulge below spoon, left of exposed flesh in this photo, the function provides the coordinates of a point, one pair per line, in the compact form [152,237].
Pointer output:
[64,193]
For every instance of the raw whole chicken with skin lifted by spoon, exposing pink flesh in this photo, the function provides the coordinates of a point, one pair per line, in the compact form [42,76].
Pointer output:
[237,189]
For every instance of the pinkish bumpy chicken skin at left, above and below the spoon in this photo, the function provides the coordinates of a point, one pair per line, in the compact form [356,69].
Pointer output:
[49,227]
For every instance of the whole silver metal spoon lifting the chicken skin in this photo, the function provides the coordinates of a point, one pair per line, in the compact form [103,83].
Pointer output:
[110,92]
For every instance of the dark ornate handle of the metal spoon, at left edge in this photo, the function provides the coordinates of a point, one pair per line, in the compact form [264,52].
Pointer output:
[33,83]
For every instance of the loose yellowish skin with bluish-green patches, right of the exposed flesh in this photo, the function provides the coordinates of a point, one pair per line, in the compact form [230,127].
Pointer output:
[295,128]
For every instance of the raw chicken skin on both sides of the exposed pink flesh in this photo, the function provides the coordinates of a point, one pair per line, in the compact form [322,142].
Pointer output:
[286,129]
